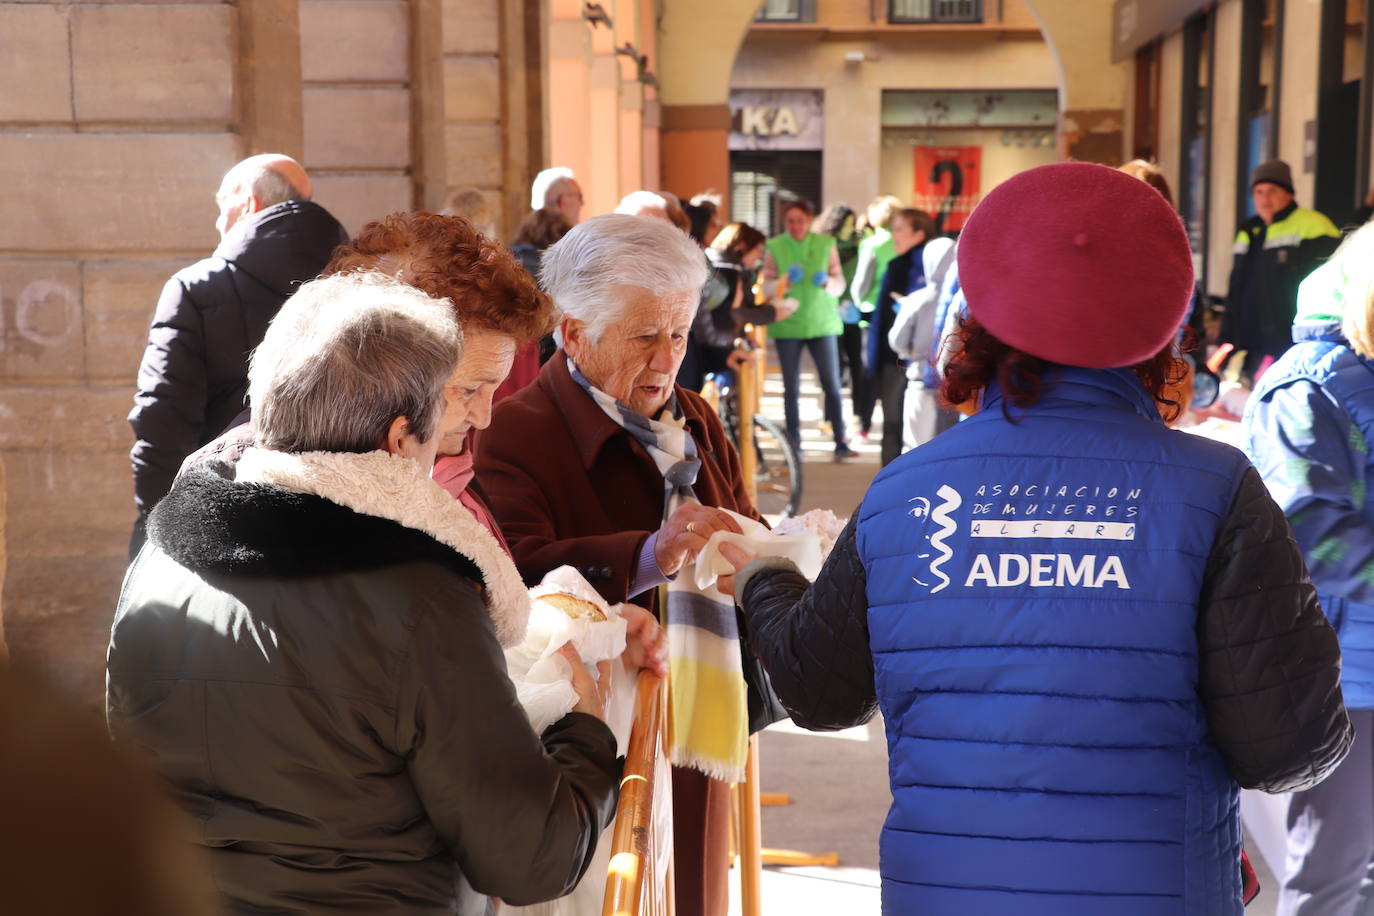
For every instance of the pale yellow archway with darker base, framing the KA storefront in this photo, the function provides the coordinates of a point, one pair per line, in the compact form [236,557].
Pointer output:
[696,64]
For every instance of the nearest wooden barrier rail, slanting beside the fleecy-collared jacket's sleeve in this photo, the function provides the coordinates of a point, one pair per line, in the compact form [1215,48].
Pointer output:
[631,873]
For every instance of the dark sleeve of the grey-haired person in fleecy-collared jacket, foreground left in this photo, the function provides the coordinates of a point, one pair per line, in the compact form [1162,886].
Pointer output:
[520,812]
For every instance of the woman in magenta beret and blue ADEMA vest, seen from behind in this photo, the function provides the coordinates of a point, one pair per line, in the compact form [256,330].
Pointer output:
[1085,631]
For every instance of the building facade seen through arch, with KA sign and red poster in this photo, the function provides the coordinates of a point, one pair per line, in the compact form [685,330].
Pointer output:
[840,101]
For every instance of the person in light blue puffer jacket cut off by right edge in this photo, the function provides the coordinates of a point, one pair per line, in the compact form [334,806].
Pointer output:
[1309,426]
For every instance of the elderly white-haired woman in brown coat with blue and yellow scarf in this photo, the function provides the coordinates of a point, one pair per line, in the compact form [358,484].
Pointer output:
[607,466]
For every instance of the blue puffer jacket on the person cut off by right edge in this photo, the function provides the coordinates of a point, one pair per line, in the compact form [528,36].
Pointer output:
[1339,428]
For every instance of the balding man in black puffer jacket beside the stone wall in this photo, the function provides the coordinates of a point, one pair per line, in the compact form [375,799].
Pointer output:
[194,373]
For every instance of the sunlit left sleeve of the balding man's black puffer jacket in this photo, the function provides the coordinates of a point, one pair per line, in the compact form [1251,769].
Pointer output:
[168,415]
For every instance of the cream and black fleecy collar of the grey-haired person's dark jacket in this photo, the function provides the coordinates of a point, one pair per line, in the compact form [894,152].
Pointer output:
[278,514]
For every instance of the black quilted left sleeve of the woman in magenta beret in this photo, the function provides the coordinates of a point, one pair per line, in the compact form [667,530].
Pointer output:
[814,642]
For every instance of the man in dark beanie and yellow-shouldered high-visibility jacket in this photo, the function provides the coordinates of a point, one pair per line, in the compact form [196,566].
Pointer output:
[1274,252]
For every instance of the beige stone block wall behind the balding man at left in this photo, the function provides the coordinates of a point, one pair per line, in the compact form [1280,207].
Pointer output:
[117,120]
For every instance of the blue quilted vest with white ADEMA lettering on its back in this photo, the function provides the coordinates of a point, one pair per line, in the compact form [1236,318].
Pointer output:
[1033,609]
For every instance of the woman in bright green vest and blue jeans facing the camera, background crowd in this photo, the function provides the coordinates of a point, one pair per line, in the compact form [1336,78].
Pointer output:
[814,277]
